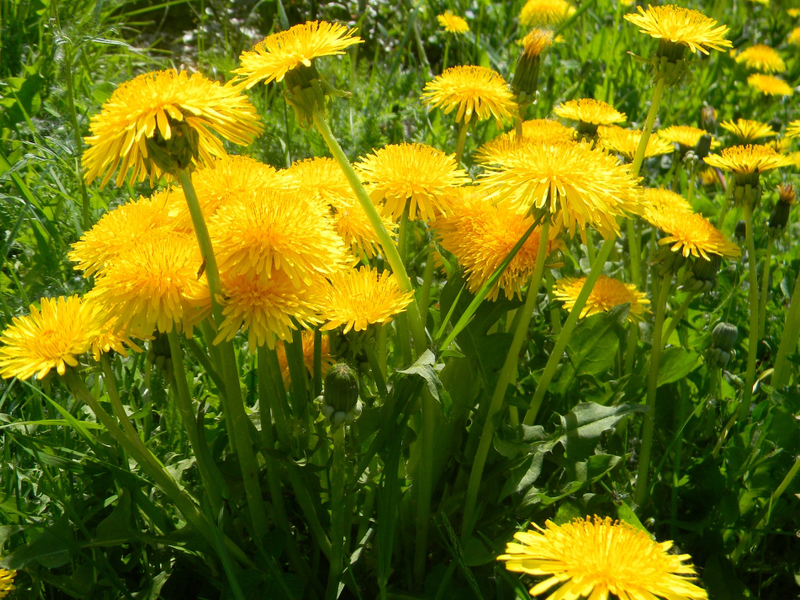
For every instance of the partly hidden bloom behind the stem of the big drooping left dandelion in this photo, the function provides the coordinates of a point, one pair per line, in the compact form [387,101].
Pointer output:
[218,182]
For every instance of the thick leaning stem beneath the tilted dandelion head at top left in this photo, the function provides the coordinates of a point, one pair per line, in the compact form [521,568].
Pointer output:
[389,249]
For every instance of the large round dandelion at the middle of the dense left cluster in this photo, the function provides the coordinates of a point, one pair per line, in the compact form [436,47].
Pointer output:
[276,230]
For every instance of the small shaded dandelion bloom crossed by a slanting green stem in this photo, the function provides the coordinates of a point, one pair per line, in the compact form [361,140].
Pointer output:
[606,294]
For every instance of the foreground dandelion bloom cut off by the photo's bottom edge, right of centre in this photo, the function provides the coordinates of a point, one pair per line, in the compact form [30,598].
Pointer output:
[594,558]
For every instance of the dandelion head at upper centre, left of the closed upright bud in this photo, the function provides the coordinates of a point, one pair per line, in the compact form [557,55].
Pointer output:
[477,92]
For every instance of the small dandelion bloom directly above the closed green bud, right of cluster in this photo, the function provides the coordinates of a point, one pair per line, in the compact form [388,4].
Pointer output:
[358,299]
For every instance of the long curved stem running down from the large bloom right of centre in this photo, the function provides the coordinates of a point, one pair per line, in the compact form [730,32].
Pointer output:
[509,367]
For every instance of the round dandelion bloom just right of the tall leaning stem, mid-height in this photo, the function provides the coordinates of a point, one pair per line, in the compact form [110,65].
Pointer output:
[416,177]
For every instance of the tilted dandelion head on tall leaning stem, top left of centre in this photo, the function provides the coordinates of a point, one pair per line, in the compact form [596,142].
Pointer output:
[277,54]
